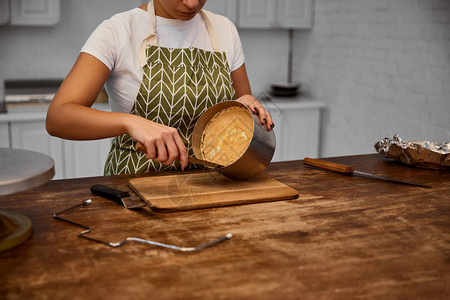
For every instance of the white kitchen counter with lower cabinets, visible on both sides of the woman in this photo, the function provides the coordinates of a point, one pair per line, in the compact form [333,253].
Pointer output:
[298,129]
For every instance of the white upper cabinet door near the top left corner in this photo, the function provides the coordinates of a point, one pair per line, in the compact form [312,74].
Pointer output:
[35,12]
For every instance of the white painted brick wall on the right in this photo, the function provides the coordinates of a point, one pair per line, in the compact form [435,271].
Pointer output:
[382,67]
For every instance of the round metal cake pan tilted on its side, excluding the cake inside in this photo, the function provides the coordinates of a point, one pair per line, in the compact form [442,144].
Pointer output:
[256,157]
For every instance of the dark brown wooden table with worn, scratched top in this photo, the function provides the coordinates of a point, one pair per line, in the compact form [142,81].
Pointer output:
[344,237]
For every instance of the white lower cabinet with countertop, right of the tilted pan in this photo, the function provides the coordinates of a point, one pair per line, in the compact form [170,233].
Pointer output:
[297,127]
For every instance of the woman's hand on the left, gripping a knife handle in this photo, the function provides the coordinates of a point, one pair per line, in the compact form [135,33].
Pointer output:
[163,143]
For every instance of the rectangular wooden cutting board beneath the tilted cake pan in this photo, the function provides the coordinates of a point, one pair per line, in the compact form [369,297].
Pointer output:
[206,190]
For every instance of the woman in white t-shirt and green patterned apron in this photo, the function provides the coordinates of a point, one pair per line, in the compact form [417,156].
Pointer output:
[164,64]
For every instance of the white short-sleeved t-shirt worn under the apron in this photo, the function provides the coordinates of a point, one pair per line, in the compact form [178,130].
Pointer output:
[116,43]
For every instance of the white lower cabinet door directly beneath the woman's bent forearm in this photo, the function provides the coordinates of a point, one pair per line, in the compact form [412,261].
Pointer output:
[85,158]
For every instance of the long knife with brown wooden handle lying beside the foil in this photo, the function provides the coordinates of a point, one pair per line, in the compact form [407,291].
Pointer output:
[343,169]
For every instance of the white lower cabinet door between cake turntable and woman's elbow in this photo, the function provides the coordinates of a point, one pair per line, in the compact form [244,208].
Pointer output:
[32,135]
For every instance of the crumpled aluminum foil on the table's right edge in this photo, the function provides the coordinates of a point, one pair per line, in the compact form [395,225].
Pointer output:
[422,154]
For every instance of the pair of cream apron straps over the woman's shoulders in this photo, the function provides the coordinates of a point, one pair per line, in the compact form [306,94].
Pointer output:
[152,38]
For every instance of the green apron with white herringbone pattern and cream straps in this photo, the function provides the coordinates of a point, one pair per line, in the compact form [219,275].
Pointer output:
[178,85]
